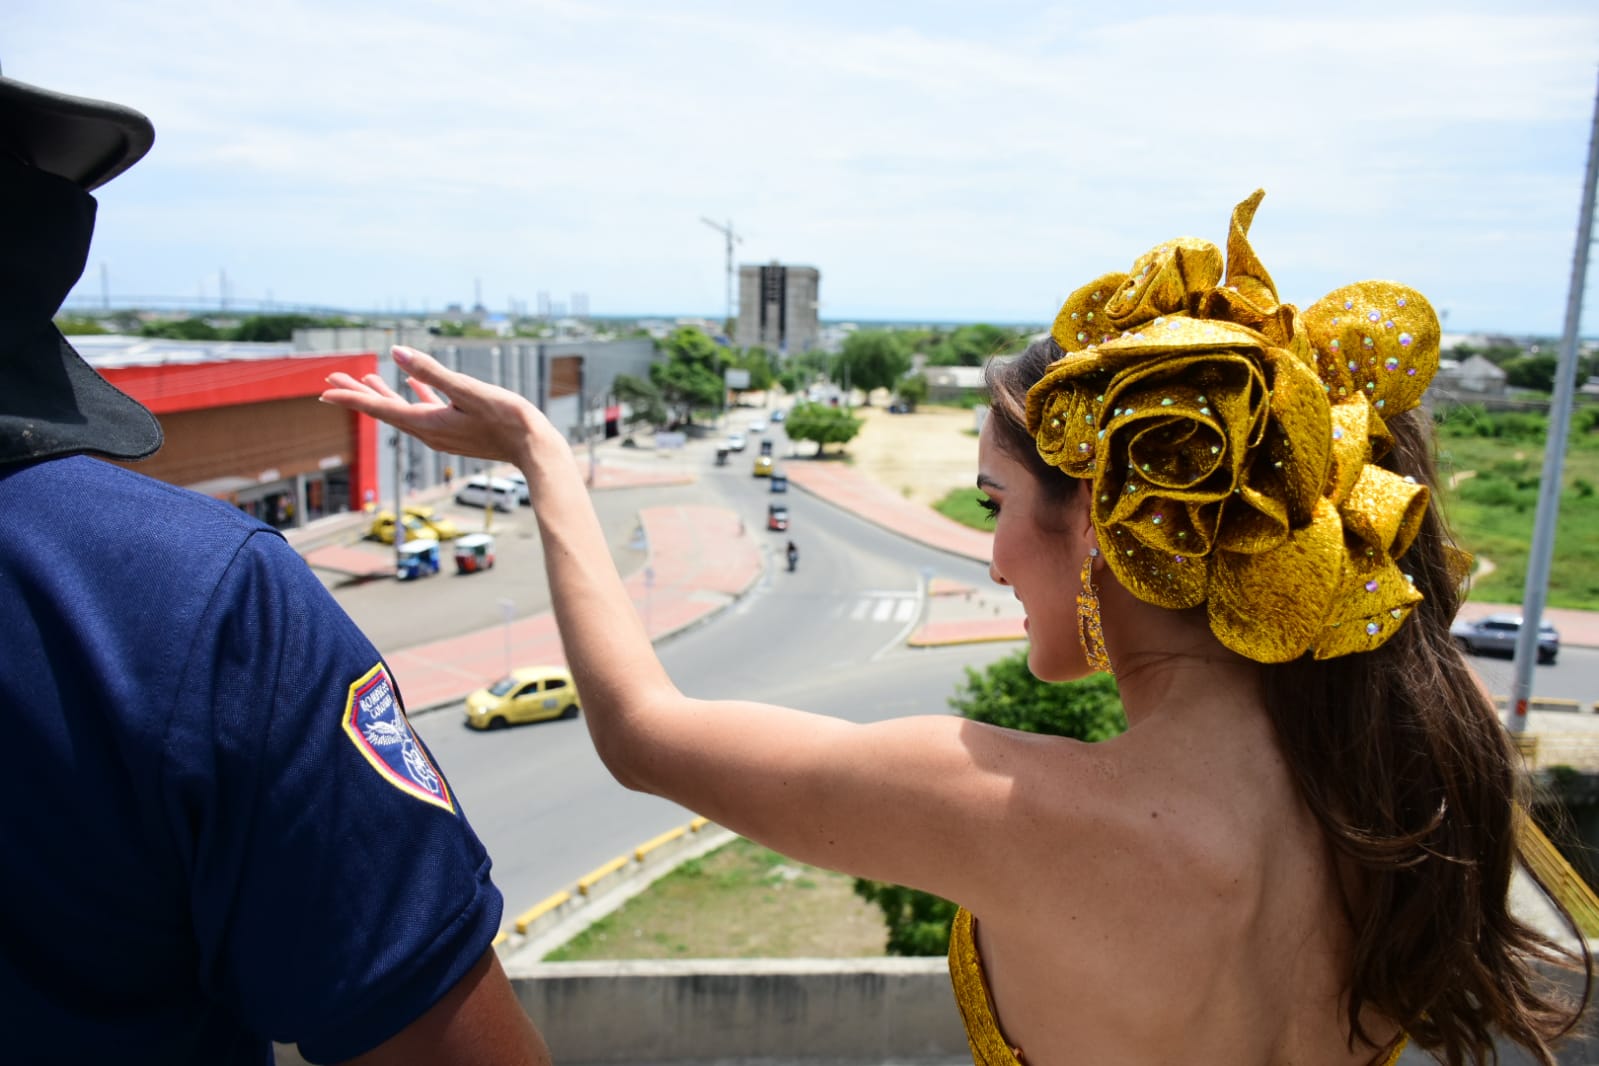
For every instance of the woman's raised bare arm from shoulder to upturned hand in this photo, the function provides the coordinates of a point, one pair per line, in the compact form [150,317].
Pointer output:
[906,800]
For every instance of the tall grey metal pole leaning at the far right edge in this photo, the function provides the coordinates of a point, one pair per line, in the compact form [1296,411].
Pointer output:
[1555,451]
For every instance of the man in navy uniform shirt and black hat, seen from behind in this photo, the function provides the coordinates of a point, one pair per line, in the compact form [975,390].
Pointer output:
[220,829]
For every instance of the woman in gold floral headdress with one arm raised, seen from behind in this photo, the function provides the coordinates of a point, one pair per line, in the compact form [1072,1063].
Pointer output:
[1301,849]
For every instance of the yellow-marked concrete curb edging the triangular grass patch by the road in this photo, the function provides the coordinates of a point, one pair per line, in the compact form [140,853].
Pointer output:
[560,917]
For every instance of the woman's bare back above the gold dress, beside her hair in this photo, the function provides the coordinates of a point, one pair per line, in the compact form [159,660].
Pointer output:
[1200,921]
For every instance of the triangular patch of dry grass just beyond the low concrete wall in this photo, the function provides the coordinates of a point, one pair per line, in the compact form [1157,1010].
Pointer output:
[740,902]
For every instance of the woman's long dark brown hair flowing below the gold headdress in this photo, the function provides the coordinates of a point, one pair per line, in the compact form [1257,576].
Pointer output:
[1403,762]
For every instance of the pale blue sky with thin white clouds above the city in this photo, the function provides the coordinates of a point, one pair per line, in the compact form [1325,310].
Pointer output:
[935,161]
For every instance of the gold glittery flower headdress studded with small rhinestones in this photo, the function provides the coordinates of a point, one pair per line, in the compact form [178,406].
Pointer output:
[1232,440]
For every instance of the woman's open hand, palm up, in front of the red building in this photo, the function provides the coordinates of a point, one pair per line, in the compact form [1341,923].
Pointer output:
[471,418]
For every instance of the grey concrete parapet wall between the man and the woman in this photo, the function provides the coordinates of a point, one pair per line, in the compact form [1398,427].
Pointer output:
[719,1011]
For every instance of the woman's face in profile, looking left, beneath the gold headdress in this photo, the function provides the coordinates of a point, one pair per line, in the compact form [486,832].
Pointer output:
[1039,555]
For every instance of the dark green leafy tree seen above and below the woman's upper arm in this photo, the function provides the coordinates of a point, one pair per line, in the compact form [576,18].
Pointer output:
[1007,694]
